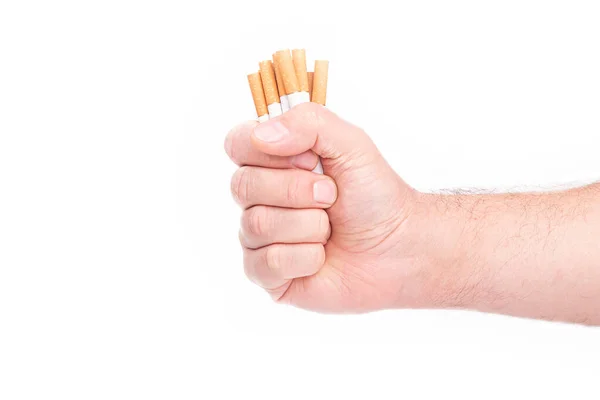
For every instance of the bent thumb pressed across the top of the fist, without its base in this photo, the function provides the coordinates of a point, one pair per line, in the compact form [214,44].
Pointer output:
[310,126]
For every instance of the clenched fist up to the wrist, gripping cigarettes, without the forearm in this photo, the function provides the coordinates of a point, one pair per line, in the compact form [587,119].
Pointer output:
[352,240]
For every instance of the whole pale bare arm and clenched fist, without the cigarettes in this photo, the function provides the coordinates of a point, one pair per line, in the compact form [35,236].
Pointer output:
[360,239]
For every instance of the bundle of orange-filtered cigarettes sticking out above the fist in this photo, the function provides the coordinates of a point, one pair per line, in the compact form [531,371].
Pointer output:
[285,82]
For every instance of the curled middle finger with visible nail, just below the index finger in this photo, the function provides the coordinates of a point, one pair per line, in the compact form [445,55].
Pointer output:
[291,188]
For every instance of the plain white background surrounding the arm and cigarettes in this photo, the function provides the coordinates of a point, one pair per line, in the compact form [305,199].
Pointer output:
[120,271]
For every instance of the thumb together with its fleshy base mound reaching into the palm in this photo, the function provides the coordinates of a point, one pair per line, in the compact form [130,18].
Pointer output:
[370,193]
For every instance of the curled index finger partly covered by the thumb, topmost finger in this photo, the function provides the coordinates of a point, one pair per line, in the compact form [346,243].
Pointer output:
[239,148]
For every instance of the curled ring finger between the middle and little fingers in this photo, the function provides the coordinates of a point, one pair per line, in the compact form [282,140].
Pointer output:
[262,226]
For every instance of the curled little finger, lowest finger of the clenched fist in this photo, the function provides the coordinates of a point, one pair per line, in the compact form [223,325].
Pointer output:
[273,266]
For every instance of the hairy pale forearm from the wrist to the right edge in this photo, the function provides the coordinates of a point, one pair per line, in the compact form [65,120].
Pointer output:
[530,254]
